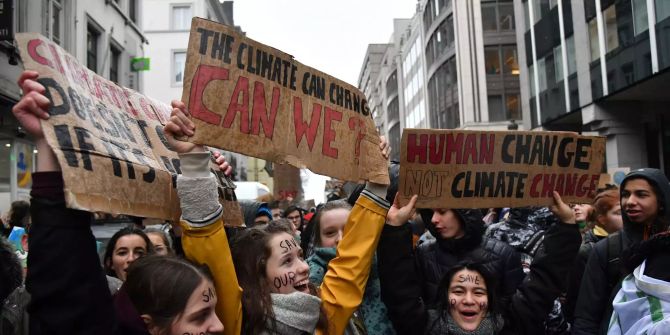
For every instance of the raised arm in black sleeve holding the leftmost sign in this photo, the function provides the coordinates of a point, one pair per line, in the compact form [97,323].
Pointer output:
[68,288]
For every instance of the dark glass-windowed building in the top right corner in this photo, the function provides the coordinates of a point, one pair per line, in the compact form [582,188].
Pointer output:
[599,67]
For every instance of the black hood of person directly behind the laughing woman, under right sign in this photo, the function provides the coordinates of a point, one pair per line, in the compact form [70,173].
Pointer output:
[473,225]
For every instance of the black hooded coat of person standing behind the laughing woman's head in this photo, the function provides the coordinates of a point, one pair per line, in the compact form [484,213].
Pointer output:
[434,258]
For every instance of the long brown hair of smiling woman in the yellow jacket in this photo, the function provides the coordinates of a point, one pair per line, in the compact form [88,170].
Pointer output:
[251,250]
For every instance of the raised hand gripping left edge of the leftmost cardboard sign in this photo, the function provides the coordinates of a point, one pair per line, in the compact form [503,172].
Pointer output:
[33,105]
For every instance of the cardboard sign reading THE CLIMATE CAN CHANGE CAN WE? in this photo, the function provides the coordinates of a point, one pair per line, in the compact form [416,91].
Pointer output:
[249,98]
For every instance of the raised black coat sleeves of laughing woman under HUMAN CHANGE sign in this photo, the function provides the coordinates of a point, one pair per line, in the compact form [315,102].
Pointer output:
[528,306]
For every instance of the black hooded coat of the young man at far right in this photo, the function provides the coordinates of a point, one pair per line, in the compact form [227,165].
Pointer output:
[594,305]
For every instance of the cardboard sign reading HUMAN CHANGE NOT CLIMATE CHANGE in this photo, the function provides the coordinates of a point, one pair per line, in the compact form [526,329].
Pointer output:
[483,169]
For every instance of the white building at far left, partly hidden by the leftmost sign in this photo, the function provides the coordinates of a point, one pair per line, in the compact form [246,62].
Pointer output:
[103,35]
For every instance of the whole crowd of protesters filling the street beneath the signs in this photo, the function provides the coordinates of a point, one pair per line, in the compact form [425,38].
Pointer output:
[361,265]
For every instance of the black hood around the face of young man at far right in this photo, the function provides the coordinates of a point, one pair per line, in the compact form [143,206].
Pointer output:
[659,181]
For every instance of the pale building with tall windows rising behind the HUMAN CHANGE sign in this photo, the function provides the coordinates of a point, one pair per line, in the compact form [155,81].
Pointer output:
[454,64]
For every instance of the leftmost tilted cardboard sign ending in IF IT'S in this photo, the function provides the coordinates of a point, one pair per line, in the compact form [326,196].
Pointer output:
[108,139]
